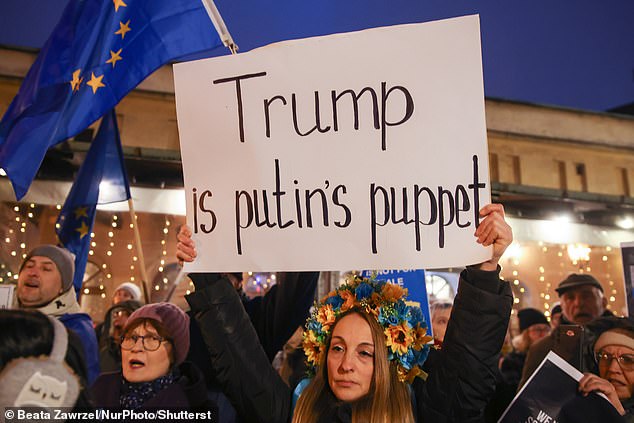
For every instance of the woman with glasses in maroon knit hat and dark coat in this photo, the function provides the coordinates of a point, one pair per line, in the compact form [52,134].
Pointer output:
[153,373]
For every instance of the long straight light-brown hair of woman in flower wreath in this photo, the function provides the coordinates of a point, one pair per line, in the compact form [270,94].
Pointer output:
[388,400]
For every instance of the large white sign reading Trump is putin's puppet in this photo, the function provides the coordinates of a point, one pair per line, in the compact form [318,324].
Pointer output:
[364,150]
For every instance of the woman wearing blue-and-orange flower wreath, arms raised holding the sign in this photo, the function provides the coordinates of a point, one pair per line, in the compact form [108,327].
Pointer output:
[366,347]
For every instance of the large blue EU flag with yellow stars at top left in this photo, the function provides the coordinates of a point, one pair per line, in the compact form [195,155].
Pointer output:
[97,53]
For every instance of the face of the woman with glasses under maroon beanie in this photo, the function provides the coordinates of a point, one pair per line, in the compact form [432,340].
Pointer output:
[140,365]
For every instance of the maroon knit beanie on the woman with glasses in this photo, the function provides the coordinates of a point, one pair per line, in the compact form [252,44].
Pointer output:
[173,319]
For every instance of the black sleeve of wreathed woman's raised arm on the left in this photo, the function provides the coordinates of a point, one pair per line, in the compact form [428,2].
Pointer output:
[238,360]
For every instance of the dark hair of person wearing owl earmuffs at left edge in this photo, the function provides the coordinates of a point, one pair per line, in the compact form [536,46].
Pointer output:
[24,334]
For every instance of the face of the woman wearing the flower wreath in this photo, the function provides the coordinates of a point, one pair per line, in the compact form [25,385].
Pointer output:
[350,359]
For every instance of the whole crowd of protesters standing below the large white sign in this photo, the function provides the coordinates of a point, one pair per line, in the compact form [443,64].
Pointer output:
[366,351]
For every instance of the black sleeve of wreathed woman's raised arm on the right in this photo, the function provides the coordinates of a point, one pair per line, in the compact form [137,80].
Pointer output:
[463,378]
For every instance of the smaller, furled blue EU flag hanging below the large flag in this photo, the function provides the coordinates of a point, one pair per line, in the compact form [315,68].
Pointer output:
[101,179]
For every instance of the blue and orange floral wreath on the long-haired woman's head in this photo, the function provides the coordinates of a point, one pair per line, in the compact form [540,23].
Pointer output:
[404,326]
